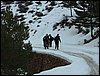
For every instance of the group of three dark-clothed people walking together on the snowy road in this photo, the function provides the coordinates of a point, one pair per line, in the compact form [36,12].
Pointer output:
[47,41]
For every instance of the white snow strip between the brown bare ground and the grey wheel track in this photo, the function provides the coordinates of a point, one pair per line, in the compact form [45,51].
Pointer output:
[65,70]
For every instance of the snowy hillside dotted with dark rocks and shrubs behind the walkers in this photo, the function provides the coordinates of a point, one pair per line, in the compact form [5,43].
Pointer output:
[41,18]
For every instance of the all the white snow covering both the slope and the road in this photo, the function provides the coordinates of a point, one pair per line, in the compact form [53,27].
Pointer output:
[72,48]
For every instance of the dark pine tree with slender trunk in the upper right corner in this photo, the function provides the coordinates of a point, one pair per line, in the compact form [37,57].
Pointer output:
[87,11]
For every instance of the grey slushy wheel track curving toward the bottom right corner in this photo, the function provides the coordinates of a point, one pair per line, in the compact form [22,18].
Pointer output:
[93,66]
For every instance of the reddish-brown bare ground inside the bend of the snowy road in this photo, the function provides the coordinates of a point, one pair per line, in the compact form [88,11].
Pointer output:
[40,62]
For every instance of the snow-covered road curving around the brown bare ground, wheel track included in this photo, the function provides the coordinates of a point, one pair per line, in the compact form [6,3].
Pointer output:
[93,67]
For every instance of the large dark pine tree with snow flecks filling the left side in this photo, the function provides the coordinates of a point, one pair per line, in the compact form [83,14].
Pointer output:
[14,52]
